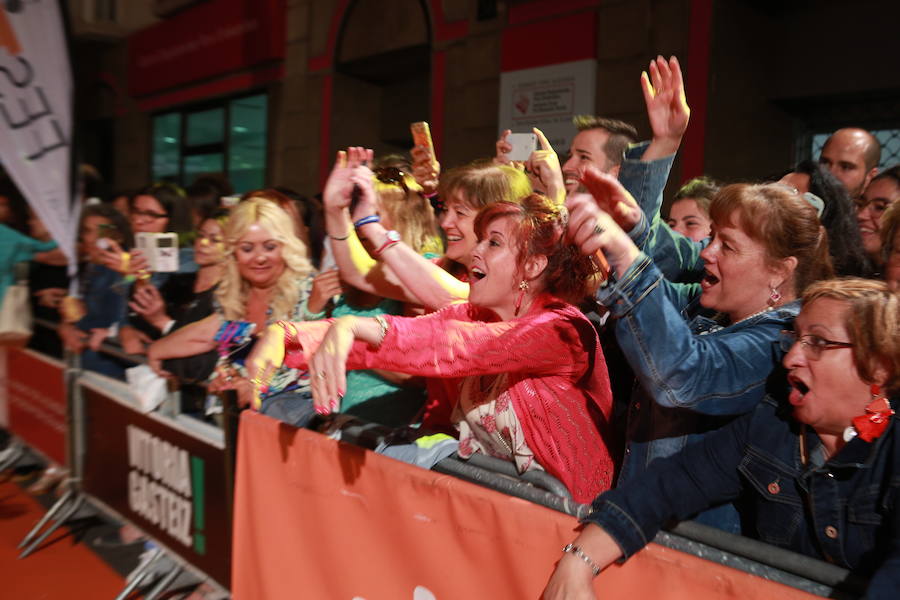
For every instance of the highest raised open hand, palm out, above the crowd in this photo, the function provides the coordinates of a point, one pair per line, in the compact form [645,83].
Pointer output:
[667,107]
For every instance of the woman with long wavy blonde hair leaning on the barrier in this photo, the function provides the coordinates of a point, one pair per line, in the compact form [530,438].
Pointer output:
[267,277]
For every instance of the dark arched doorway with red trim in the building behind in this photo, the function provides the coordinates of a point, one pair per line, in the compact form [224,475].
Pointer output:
[381,75]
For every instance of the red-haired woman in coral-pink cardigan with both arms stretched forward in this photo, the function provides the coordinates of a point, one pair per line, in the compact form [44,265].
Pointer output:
[517,370]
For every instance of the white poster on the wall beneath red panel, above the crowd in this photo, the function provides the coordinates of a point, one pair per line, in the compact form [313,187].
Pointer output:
[547,98]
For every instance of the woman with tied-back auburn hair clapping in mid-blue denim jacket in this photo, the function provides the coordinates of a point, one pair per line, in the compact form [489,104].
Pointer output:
[695,374]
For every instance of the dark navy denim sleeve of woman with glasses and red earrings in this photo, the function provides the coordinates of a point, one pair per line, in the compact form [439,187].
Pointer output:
[702,475]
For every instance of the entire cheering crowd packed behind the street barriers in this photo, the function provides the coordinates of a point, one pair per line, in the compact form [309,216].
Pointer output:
[733,363]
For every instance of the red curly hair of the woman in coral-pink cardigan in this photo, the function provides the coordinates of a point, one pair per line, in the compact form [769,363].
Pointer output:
[541,231]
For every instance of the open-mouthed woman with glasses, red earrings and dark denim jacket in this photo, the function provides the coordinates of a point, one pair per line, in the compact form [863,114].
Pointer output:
[820,468]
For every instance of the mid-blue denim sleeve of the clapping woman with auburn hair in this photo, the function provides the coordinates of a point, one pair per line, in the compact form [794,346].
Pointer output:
[717,373]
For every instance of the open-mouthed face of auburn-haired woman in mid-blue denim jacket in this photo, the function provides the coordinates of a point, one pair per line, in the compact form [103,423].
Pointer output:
[738,281]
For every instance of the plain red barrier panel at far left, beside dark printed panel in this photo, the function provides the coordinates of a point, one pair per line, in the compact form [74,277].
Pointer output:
[35,394]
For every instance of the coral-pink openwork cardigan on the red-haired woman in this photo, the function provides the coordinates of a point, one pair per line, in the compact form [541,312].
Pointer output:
[555,377]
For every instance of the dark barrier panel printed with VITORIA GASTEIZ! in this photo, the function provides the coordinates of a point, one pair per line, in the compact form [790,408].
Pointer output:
[162,477]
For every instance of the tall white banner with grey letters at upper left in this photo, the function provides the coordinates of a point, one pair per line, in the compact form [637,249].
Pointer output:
[36,113]
